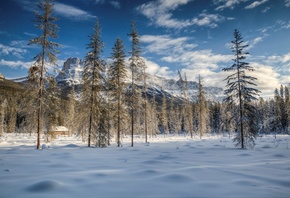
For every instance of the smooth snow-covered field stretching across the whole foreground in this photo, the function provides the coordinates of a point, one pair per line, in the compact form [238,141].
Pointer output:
[167,167]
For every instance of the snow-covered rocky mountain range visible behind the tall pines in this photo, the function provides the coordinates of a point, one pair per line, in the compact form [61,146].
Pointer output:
[73,67]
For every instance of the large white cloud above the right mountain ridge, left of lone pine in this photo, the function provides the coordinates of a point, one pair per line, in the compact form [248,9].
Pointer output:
[193,62]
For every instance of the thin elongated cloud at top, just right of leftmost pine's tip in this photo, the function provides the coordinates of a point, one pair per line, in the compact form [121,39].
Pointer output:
[72,12]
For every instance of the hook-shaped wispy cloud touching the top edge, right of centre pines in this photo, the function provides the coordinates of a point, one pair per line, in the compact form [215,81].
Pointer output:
[160,14]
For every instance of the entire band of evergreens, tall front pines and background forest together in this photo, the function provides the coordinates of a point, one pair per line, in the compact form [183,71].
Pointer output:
[106,107]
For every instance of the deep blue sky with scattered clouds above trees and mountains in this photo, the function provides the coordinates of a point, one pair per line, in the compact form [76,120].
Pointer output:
[188,35]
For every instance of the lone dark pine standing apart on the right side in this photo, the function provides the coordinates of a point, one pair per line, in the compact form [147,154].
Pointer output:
[239,91]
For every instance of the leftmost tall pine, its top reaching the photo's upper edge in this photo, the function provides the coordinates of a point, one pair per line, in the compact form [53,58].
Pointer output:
[45,22]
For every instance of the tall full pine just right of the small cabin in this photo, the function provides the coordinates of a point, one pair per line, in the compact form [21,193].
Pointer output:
[93,82]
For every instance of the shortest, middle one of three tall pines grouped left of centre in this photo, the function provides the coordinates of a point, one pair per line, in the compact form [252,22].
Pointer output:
[117,77]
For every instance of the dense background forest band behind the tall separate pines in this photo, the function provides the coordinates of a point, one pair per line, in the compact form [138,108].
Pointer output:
[168,116]
